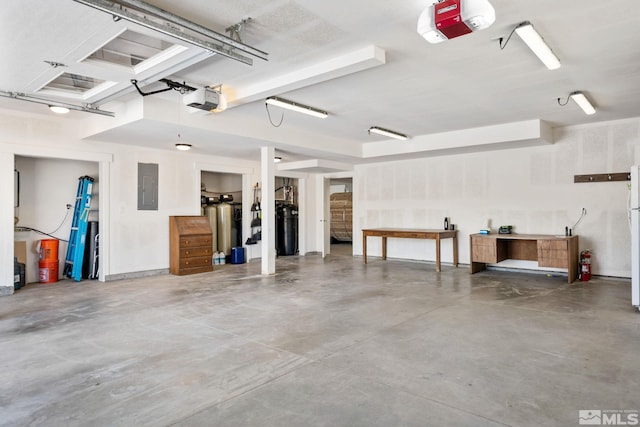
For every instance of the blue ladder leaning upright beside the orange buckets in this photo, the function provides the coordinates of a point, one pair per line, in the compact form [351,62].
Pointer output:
[75,248]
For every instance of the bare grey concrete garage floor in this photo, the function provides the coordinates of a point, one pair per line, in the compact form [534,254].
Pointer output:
[322,343]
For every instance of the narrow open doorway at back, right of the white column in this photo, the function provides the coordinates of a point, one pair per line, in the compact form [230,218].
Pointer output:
[341,216]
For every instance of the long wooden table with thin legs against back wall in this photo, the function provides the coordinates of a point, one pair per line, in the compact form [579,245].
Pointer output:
[411,233]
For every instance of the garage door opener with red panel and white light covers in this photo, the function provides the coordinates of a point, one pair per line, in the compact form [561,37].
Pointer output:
[448,19]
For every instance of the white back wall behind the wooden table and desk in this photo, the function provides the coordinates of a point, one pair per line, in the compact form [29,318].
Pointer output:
[530,188]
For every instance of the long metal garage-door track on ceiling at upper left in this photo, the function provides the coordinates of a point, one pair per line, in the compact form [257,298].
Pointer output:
[221,45]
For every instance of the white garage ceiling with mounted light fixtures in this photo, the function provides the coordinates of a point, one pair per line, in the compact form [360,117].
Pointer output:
[316,58]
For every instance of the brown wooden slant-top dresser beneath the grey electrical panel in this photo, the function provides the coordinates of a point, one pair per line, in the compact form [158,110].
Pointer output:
[190,245]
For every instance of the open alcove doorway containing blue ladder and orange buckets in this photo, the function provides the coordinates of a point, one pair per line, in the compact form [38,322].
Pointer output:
[45,198]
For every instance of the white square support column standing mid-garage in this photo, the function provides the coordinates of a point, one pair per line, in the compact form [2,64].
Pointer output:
[268,210]
